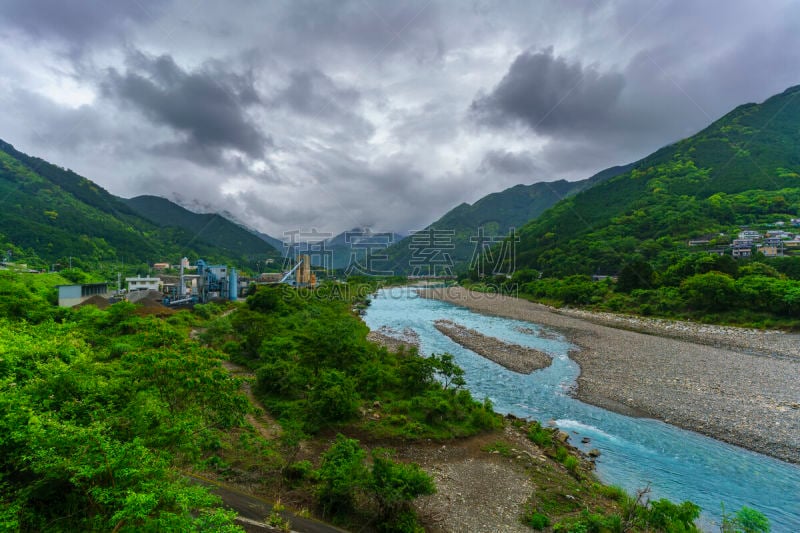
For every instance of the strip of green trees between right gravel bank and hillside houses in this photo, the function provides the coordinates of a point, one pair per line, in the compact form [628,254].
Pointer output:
[756,292]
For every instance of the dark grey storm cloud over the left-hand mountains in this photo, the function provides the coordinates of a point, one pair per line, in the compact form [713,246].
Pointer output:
[207,105]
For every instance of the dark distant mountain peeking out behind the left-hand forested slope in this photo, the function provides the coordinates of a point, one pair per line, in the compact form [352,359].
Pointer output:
[212,229]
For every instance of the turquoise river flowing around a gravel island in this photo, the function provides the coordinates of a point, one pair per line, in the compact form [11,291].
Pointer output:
[635,452]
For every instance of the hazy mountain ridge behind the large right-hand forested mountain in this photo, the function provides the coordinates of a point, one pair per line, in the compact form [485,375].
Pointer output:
[495,213]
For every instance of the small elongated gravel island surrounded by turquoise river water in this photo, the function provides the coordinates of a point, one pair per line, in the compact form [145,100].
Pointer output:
[512,356]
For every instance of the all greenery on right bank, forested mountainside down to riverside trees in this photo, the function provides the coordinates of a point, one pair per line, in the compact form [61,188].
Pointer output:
[742,171]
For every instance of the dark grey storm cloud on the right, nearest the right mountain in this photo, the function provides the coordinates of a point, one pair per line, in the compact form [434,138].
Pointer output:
[549,94]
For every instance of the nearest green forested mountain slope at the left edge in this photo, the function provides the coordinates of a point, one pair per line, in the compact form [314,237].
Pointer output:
[54,213]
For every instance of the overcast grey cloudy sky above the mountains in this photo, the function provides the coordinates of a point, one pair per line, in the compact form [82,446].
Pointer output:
[336,114]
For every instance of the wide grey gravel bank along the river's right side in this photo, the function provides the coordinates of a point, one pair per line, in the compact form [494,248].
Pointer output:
[739,386]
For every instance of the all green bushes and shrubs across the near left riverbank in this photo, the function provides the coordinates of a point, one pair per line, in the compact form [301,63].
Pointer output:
[103,411]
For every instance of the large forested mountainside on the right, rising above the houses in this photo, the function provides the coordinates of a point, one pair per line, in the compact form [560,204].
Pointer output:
[744,169]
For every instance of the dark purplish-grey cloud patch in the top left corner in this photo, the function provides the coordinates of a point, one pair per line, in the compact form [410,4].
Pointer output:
[77,21]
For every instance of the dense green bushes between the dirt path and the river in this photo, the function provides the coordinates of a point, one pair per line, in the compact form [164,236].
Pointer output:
[316,369]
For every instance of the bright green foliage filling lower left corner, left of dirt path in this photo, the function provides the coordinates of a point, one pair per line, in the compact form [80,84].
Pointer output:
[97,411]
